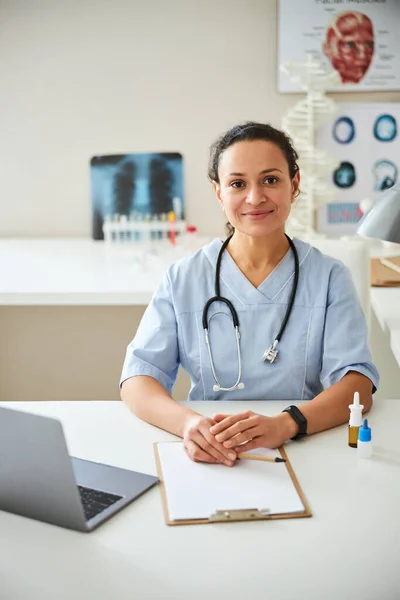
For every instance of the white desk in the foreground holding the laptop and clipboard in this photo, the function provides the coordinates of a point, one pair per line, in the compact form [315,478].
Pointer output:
[349,549]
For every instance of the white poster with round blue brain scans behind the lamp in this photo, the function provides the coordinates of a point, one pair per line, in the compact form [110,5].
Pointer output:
[365,139]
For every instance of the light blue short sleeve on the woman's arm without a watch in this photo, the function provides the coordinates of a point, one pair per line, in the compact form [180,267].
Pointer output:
[154,349]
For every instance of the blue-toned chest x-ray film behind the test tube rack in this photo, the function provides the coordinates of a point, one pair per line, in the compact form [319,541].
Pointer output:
[140,184]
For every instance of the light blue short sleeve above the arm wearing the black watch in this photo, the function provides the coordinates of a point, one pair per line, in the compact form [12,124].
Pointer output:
[345,342]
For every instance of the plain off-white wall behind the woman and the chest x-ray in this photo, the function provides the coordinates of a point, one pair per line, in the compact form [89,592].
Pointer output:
[86,77]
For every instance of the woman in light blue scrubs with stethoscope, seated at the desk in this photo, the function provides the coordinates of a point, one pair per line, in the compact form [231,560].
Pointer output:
[321,355]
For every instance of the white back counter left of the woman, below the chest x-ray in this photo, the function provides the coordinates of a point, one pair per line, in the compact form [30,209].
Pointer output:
[81,272]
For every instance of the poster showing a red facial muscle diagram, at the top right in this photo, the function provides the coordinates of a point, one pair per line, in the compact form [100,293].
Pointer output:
[359,39]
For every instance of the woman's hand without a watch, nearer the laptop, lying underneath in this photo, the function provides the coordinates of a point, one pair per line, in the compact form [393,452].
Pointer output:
[201,446]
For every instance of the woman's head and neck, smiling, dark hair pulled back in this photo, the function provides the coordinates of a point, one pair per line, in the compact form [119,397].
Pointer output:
[255,175]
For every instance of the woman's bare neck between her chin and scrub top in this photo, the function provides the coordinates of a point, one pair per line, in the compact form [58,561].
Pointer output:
[258,254]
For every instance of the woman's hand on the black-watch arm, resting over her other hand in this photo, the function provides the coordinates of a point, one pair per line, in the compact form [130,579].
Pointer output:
[248,430]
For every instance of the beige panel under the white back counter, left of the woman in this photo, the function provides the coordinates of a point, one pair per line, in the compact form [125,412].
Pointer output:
[66,353]
